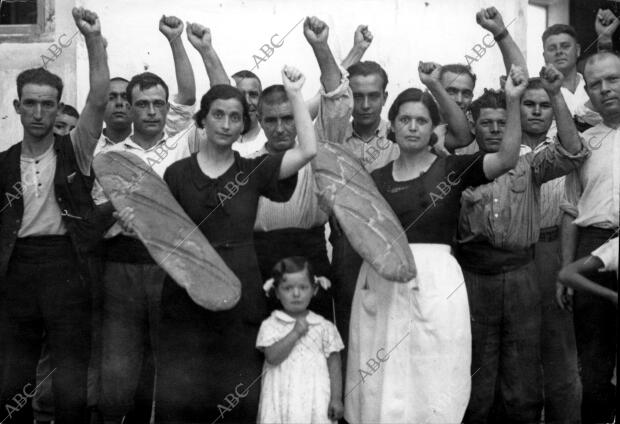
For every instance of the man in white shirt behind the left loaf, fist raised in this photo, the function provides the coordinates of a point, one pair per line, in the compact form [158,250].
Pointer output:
[132,281]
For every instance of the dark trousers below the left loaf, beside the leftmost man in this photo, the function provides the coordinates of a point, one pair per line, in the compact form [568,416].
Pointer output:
[131,315]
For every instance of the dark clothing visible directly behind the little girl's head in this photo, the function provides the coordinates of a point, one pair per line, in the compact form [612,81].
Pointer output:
[272,246]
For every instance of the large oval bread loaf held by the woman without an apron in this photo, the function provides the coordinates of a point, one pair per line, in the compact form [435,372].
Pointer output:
[171,237]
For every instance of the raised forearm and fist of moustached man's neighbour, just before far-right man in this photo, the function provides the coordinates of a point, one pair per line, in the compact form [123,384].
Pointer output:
[552,80]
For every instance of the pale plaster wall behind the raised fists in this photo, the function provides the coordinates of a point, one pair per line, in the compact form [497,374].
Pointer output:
[405,31]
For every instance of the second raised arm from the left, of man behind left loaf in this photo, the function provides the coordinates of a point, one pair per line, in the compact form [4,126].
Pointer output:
[172,28]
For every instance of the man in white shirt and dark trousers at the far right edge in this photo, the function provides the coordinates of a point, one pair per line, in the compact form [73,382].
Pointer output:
[593,199]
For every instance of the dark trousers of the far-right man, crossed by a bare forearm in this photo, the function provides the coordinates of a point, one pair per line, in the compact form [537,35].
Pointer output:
[596,331]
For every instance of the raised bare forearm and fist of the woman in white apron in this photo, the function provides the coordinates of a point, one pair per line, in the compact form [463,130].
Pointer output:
[500,162]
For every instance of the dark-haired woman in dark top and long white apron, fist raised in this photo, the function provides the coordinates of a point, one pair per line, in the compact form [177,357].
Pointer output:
[419,332]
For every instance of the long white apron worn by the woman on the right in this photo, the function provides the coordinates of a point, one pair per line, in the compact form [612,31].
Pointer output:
[410,344]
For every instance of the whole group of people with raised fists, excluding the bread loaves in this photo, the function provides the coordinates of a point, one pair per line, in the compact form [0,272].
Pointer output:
[498,197]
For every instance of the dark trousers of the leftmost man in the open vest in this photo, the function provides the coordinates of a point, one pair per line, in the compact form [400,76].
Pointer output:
[43,293]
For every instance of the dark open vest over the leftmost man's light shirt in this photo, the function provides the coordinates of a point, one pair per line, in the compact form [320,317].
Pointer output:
[72,190]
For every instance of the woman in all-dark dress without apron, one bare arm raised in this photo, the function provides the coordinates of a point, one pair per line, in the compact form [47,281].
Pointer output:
[208,368]
